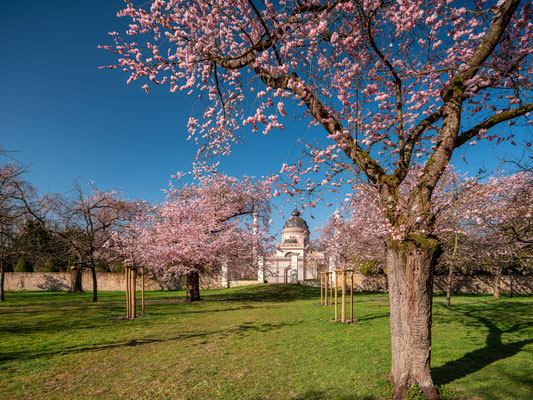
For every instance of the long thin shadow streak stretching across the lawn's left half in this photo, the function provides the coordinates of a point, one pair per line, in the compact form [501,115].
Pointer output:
[240,331]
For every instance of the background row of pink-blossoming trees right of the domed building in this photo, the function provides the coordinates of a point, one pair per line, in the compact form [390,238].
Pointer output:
[484,225]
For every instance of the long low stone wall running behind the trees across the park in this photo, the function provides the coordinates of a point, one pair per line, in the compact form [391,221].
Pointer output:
[109,281]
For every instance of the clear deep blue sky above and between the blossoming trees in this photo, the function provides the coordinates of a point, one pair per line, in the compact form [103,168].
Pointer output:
[69,119]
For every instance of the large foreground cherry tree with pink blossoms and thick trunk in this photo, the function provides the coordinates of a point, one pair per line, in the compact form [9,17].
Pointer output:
[392,84]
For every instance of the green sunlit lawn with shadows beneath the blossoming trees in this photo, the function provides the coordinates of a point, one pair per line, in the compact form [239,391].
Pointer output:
[260,342]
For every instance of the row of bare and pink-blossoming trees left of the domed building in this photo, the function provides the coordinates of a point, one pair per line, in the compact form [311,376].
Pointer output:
[200,228]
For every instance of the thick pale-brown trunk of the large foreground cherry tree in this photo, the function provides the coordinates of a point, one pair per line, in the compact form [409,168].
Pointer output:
[410,276]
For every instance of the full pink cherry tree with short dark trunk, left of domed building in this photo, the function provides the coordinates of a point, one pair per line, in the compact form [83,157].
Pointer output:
[202,226]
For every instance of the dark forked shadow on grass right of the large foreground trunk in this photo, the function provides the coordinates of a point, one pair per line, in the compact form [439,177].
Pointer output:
[476,360]
